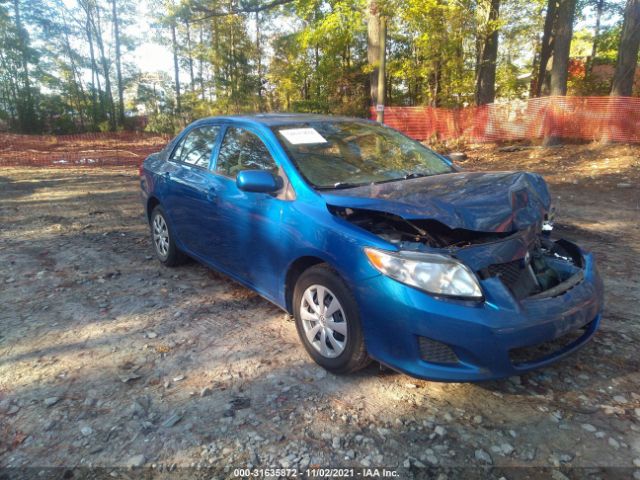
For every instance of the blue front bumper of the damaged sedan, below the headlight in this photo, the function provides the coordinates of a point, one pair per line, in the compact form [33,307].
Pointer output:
[484,340]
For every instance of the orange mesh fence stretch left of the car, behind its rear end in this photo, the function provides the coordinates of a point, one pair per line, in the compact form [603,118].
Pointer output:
[87,149]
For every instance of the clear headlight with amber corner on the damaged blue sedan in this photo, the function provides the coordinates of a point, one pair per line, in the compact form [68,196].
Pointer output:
[437,274]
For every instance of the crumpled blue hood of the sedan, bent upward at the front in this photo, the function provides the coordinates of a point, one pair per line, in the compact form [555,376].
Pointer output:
[480,201]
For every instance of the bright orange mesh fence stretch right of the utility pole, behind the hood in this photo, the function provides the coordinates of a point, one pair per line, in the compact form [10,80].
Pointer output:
[573,118]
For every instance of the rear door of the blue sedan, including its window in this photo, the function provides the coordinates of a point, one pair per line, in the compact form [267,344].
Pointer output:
[190,186]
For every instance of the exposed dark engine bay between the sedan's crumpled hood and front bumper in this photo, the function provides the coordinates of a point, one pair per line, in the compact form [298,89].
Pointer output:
[527,262]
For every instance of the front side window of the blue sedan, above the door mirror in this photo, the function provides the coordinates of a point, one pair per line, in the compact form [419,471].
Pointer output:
[243,150]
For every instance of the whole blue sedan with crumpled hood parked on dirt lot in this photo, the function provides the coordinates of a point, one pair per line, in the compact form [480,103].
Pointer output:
[379,247]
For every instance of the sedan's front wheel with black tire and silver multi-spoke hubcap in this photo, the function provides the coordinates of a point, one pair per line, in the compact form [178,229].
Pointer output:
[336,343]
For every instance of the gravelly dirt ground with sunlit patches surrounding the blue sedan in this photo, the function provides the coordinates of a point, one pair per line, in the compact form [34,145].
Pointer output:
[109,359]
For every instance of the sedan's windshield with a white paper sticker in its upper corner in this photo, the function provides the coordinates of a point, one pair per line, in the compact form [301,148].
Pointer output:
[348,154]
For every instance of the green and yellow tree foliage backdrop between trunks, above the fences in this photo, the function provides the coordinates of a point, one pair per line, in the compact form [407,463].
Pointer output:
[58,66]
